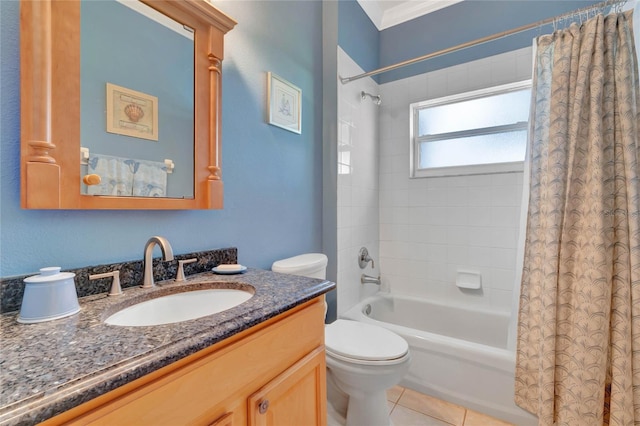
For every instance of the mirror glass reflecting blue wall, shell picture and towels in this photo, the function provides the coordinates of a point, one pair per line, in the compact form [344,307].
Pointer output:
[136,101]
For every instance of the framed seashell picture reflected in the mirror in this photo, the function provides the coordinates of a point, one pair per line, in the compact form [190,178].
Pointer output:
[131,113]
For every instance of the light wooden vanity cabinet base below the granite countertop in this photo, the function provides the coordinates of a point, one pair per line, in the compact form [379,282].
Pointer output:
[229,383]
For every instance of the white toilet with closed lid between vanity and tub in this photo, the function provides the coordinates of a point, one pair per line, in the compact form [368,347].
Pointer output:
[363,360]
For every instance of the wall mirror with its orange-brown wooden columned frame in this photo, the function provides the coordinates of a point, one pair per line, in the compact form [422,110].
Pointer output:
[114,99]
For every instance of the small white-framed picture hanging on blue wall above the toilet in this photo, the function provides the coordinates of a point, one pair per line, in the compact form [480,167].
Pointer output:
[284,104]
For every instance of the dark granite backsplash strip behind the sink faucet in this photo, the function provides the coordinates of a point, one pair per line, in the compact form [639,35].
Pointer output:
[131,275]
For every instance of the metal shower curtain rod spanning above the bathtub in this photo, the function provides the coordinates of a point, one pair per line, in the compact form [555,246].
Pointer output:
[601,5]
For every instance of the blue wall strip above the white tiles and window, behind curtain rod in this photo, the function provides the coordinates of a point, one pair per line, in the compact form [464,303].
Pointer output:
[463,22]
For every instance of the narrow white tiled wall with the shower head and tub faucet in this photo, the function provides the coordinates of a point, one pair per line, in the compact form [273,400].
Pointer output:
[358,183]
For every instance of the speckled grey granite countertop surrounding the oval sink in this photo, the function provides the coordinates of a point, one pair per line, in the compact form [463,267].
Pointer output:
[48,368]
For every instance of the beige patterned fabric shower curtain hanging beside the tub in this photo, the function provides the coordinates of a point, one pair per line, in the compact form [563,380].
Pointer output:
[578,353]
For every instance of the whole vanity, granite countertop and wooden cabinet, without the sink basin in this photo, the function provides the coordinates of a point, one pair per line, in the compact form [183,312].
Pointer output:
[259,363]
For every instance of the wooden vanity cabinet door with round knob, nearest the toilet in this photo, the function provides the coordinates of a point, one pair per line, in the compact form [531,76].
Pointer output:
[297,397]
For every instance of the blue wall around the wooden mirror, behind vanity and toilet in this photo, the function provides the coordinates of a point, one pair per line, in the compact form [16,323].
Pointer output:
[273,178]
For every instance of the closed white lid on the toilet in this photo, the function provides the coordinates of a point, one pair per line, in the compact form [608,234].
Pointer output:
[361,341]
